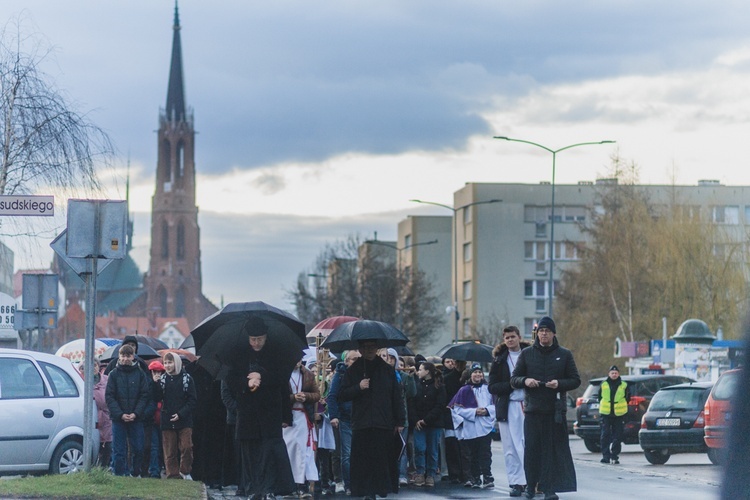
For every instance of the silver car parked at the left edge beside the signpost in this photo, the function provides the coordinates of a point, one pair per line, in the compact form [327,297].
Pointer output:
[41,414]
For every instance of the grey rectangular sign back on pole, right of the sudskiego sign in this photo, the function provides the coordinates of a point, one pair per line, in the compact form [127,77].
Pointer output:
[96,228]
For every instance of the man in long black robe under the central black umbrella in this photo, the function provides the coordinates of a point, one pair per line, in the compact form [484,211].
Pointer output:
[377,421]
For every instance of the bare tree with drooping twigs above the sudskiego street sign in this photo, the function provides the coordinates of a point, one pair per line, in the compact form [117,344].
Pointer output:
[45,144]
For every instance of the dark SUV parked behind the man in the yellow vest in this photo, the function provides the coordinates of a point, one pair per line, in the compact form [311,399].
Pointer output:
[641,387]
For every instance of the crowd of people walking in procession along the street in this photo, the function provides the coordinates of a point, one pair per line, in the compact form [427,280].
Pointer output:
[364,423]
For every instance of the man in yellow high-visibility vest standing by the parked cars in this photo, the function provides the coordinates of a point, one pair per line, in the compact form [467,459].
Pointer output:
[614,396]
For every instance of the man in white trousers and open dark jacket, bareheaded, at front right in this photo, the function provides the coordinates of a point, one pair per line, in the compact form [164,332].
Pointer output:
[509,407]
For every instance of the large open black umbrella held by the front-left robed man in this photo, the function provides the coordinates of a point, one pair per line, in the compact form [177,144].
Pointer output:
[221,340]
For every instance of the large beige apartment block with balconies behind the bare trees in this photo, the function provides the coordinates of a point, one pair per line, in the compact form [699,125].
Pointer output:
[501,273]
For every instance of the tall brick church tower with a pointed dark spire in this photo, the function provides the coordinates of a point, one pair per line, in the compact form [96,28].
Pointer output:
[174,282]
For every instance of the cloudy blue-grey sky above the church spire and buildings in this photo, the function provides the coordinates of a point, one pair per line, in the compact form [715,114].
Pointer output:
[319,120]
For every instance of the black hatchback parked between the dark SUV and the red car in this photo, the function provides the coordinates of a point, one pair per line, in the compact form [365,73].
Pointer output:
[674,422]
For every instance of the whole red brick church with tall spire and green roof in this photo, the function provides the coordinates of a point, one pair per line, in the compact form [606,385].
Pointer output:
[170,294]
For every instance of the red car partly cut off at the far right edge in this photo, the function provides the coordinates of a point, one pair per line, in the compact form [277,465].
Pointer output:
[717,414]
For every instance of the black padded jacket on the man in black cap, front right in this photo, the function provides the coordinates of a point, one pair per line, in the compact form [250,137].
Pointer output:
[546,363]
